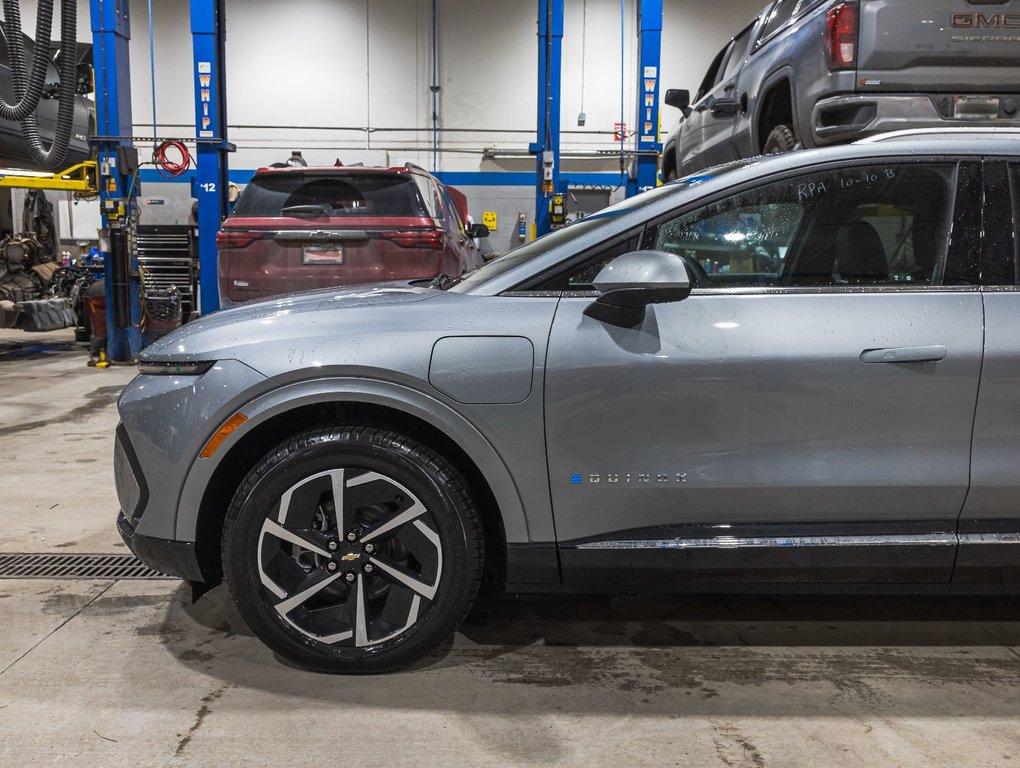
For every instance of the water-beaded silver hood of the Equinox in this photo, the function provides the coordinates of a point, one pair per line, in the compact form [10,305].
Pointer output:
[229,332]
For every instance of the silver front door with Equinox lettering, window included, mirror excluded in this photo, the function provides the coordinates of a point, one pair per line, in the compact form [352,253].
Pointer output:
[806,414]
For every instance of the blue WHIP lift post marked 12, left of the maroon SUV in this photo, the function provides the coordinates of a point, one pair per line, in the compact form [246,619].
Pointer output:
[211,184]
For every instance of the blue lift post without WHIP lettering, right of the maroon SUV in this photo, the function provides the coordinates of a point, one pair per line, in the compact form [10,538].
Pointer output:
[547,148]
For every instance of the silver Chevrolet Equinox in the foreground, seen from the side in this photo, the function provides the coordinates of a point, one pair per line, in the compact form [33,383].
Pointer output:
[804,369]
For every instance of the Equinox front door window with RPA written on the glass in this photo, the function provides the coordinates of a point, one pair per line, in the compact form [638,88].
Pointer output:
[854,227]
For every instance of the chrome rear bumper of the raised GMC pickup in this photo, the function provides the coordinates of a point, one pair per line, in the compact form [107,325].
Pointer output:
[846,119]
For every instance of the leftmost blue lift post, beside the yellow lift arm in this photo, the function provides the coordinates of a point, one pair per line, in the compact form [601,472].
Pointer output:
[111,38]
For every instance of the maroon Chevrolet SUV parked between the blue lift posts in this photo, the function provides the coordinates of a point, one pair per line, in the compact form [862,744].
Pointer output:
[300,229]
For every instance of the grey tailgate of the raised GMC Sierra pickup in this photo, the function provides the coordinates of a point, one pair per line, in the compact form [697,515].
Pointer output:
[940,46]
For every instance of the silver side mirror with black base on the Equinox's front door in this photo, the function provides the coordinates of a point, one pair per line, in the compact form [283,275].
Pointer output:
[632,282]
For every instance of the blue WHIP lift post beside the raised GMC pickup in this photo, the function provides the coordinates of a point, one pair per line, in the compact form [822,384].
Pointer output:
[649,50]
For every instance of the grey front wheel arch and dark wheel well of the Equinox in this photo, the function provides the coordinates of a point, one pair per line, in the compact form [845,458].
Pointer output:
[284,413]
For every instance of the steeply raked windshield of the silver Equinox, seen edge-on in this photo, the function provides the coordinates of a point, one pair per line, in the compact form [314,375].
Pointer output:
[546,243]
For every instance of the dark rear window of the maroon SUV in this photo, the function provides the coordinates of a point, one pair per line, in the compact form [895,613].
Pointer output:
[346,194]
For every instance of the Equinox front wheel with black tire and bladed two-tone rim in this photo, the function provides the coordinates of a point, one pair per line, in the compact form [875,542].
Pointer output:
[386,478]
